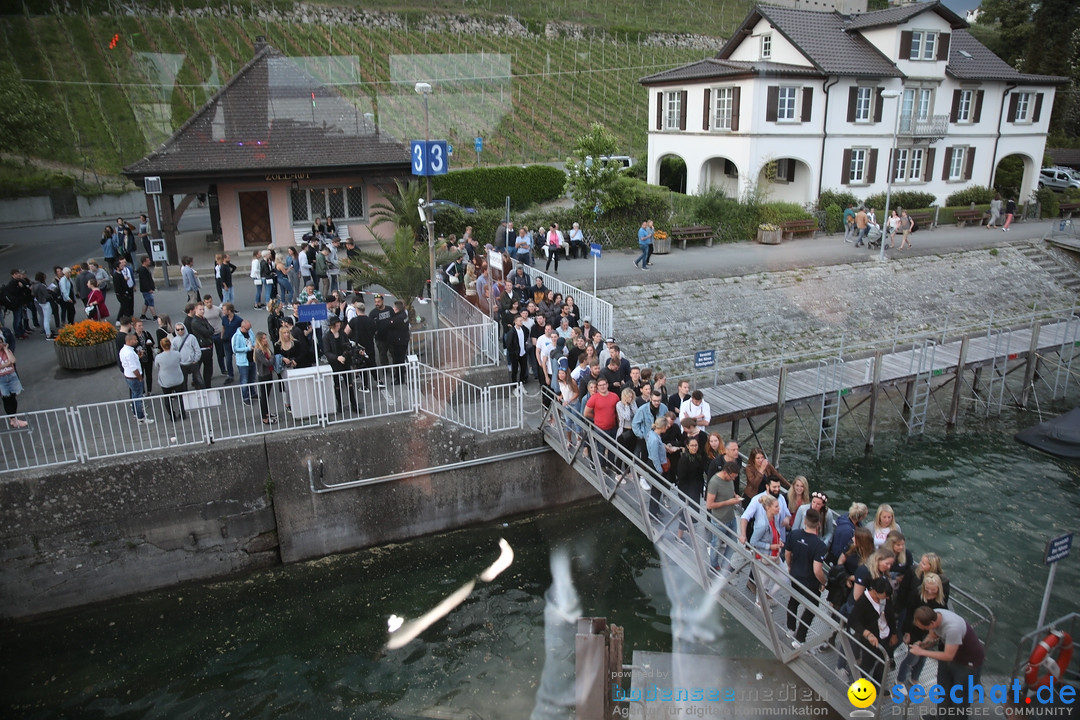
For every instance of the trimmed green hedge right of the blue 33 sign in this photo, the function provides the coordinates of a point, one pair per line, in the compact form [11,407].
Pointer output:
[489,187]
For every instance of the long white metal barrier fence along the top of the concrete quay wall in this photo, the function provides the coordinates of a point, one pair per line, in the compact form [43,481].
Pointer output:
[303,399]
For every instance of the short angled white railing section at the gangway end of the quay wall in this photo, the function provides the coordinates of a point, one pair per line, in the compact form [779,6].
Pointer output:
[483,410]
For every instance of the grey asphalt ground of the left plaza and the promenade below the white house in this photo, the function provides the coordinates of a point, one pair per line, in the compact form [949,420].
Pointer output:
[42,247]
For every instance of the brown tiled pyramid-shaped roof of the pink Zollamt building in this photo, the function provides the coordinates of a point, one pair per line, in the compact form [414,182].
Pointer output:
[265,119]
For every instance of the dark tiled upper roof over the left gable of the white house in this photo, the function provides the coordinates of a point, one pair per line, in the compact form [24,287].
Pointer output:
[822,39]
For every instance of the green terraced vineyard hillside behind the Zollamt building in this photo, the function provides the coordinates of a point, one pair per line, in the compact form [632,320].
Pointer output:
[530,97]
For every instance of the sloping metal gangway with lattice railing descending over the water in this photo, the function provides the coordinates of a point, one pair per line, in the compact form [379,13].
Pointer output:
[829,658]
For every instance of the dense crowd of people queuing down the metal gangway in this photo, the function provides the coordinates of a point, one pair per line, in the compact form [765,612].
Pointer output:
[859,564]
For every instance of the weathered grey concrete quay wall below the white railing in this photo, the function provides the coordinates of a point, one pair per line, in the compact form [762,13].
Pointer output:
[87,534]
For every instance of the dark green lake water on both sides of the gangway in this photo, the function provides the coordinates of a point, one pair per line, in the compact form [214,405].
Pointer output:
[306,641]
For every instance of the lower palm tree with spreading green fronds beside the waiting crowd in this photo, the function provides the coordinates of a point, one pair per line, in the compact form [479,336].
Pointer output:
[401,268]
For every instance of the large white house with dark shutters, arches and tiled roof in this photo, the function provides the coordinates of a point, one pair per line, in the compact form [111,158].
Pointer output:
[800,102]
